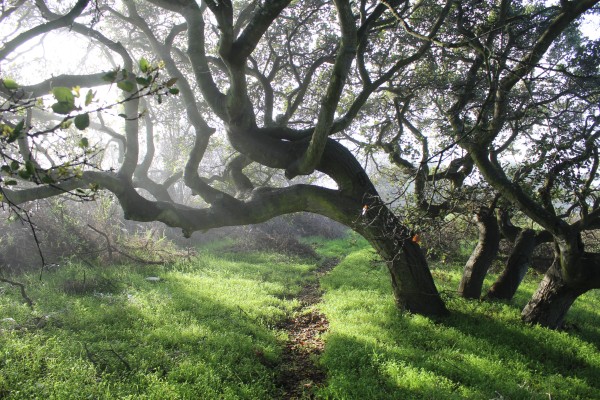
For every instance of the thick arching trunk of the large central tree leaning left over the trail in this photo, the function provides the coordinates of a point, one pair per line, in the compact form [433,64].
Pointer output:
[412,283]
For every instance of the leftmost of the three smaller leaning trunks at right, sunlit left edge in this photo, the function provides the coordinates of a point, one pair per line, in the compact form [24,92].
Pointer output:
[483,255]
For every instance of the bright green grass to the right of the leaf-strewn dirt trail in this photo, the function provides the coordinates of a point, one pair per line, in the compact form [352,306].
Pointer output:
[482,351]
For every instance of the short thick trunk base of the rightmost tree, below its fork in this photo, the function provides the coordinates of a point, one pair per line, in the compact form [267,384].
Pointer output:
[552,300]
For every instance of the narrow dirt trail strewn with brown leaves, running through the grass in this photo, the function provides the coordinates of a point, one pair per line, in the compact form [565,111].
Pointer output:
[298,373]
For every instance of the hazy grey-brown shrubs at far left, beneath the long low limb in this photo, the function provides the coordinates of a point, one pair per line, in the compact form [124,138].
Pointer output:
[91,232]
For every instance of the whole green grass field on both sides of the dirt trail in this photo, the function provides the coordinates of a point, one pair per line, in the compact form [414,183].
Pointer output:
[209,329]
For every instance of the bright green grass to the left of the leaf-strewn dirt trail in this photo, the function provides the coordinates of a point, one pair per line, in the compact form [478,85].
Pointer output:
[204,332]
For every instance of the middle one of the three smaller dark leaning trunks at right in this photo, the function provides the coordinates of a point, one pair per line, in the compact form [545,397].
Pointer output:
[517,265]
